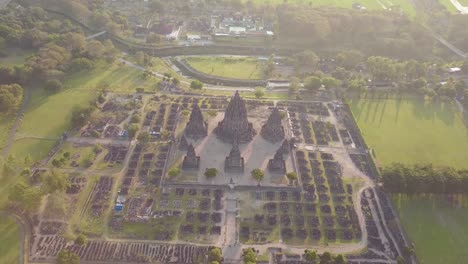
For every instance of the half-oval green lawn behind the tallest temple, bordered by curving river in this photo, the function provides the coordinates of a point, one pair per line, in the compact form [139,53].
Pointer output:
[239,68]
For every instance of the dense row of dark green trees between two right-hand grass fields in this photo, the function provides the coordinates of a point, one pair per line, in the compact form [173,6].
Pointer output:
[424,178]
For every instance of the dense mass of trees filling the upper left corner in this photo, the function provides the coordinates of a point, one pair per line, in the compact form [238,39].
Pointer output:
[59,47]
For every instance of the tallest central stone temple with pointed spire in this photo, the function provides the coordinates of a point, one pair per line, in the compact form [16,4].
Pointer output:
[235,124]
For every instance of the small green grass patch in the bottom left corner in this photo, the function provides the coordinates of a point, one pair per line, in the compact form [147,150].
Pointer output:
[10,242]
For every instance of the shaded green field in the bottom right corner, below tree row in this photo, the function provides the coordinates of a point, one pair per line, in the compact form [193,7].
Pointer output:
[438,229]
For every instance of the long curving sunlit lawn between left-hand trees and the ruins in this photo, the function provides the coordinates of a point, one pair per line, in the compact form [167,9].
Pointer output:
[48,115]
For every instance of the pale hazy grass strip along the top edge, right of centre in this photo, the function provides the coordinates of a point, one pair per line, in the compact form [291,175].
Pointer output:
[369,4]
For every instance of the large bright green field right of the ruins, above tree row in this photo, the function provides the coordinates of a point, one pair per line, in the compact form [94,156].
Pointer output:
[413,131]
